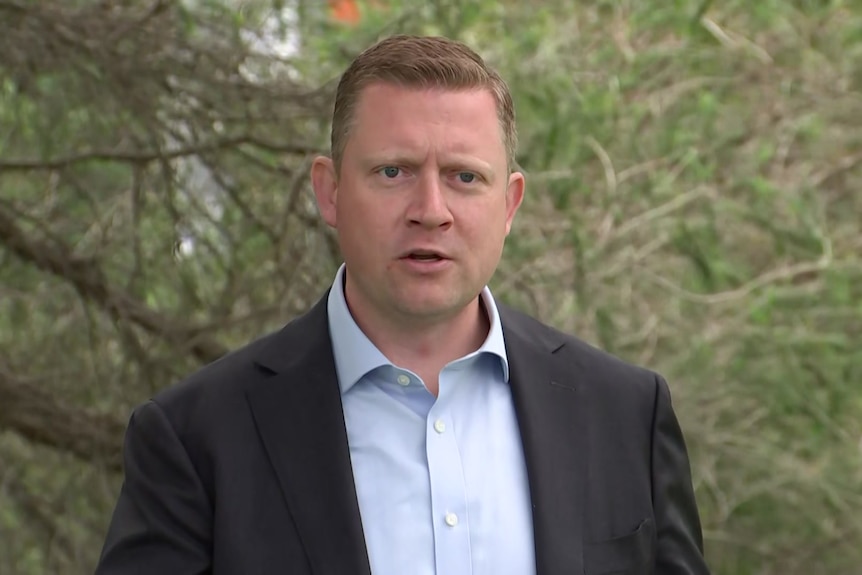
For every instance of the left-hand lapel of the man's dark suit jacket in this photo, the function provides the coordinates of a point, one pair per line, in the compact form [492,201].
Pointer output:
[299,418]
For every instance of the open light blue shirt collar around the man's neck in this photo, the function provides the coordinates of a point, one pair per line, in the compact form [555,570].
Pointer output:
[355,354]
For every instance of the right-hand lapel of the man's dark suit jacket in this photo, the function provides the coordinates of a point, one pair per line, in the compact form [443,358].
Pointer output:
[550,404]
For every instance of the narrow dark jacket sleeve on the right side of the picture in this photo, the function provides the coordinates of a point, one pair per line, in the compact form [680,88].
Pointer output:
[679,535]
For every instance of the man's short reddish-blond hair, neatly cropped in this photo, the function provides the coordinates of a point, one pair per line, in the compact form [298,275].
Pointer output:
[420,62]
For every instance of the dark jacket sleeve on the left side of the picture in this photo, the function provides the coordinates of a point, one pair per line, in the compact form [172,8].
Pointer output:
[162,522]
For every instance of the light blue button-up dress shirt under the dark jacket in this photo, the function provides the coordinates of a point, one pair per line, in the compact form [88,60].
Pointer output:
[441,482]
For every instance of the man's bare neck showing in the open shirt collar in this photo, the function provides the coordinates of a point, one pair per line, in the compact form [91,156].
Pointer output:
[425,348]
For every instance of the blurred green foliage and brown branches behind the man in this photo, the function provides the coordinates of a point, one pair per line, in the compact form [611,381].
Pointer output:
[694,205]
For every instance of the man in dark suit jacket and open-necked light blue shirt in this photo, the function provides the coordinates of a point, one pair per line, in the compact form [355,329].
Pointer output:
[407,424]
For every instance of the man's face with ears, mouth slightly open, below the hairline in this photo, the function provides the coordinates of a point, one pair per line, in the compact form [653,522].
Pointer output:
[423,201]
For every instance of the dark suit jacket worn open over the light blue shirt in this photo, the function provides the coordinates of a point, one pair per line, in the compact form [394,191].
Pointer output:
[244,468]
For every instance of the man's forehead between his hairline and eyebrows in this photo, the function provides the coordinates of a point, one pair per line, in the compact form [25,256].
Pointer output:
[464,121]
